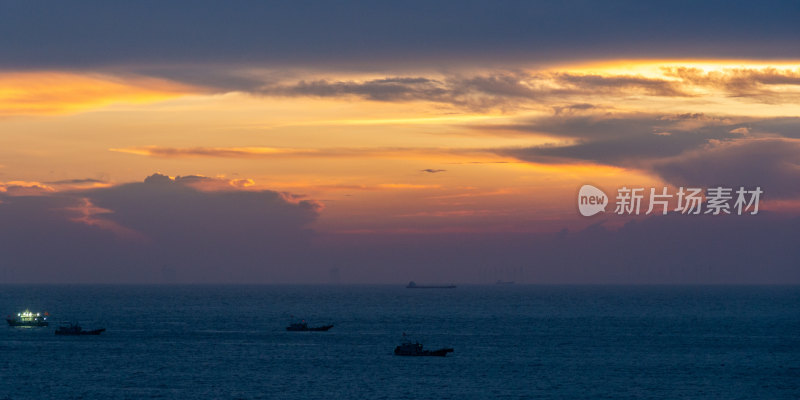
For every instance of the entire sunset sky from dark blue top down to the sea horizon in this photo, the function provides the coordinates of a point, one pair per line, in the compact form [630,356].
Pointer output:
[363,142]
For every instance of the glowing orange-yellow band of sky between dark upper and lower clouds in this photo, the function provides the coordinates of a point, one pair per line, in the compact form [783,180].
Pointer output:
[413,137]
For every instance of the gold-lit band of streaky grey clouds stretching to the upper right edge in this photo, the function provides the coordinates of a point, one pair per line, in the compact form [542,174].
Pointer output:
[516,89]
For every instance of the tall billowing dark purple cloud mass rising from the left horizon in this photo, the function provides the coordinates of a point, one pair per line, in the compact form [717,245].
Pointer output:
[130,232]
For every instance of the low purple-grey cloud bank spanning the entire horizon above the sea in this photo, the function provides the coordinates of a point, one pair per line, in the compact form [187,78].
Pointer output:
[168,230]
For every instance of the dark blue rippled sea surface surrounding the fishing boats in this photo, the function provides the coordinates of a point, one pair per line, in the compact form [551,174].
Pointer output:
[511,342]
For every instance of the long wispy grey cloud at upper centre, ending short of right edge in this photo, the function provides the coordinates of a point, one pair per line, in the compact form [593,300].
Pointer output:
[484,91]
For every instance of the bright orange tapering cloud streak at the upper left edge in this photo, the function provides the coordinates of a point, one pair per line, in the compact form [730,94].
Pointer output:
[46,93]
